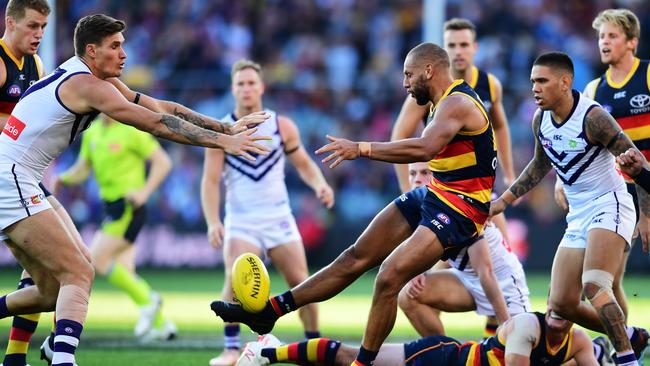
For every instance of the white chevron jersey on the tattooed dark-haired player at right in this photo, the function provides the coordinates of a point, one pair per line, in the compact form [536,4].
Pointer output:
[587,170]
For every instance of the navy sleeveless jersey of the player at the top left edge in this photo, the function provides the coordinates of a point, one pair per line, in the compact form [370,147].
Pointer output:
[21,74]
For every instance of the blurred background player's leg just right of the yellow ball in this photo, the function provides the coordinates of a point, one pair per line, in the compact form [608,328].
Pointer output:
[291,262]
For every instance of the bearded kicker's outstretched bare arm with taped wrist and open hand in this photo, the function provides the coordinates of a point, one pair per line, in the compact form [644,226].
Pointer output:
[455,113]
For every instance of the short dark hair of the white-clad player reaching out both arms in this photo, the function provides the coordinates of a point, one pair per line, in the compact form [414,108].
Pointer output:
[92,29]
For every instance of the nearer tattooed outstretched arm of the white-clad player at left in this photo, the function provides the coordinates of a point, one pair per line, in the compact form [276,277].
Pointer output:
[84,93]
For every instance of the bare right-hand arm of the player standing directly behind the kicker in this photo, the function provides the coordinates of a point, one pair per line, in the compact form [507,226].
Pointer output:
[502,133]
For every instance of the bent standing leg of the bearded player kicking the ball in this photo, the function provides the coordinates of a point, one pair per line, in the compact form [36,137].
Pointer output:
[418,253]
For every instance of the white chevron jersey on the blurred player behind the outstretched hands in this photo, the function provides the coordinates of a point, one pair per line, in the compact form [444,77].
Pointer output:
[257,188]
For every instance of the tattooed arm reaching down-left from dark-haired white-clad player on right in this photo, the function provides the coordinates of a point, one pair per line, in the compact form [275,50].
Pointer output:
[536,169]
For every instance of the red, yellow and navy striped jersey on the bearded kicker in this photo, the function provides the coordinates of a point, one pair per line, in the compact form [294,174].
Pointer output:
[464,170]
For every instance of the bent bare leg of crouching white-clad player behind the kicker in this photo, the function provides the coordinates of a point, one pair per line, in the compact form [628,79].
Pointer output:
[443,290]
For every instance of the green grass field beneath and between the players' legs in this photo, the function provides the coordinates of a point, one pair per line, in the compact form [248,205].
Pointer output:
[108,339]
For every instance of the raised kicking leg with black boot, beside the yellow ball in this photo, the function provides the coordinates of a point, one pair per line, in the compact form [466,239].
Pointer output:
[385,232]
